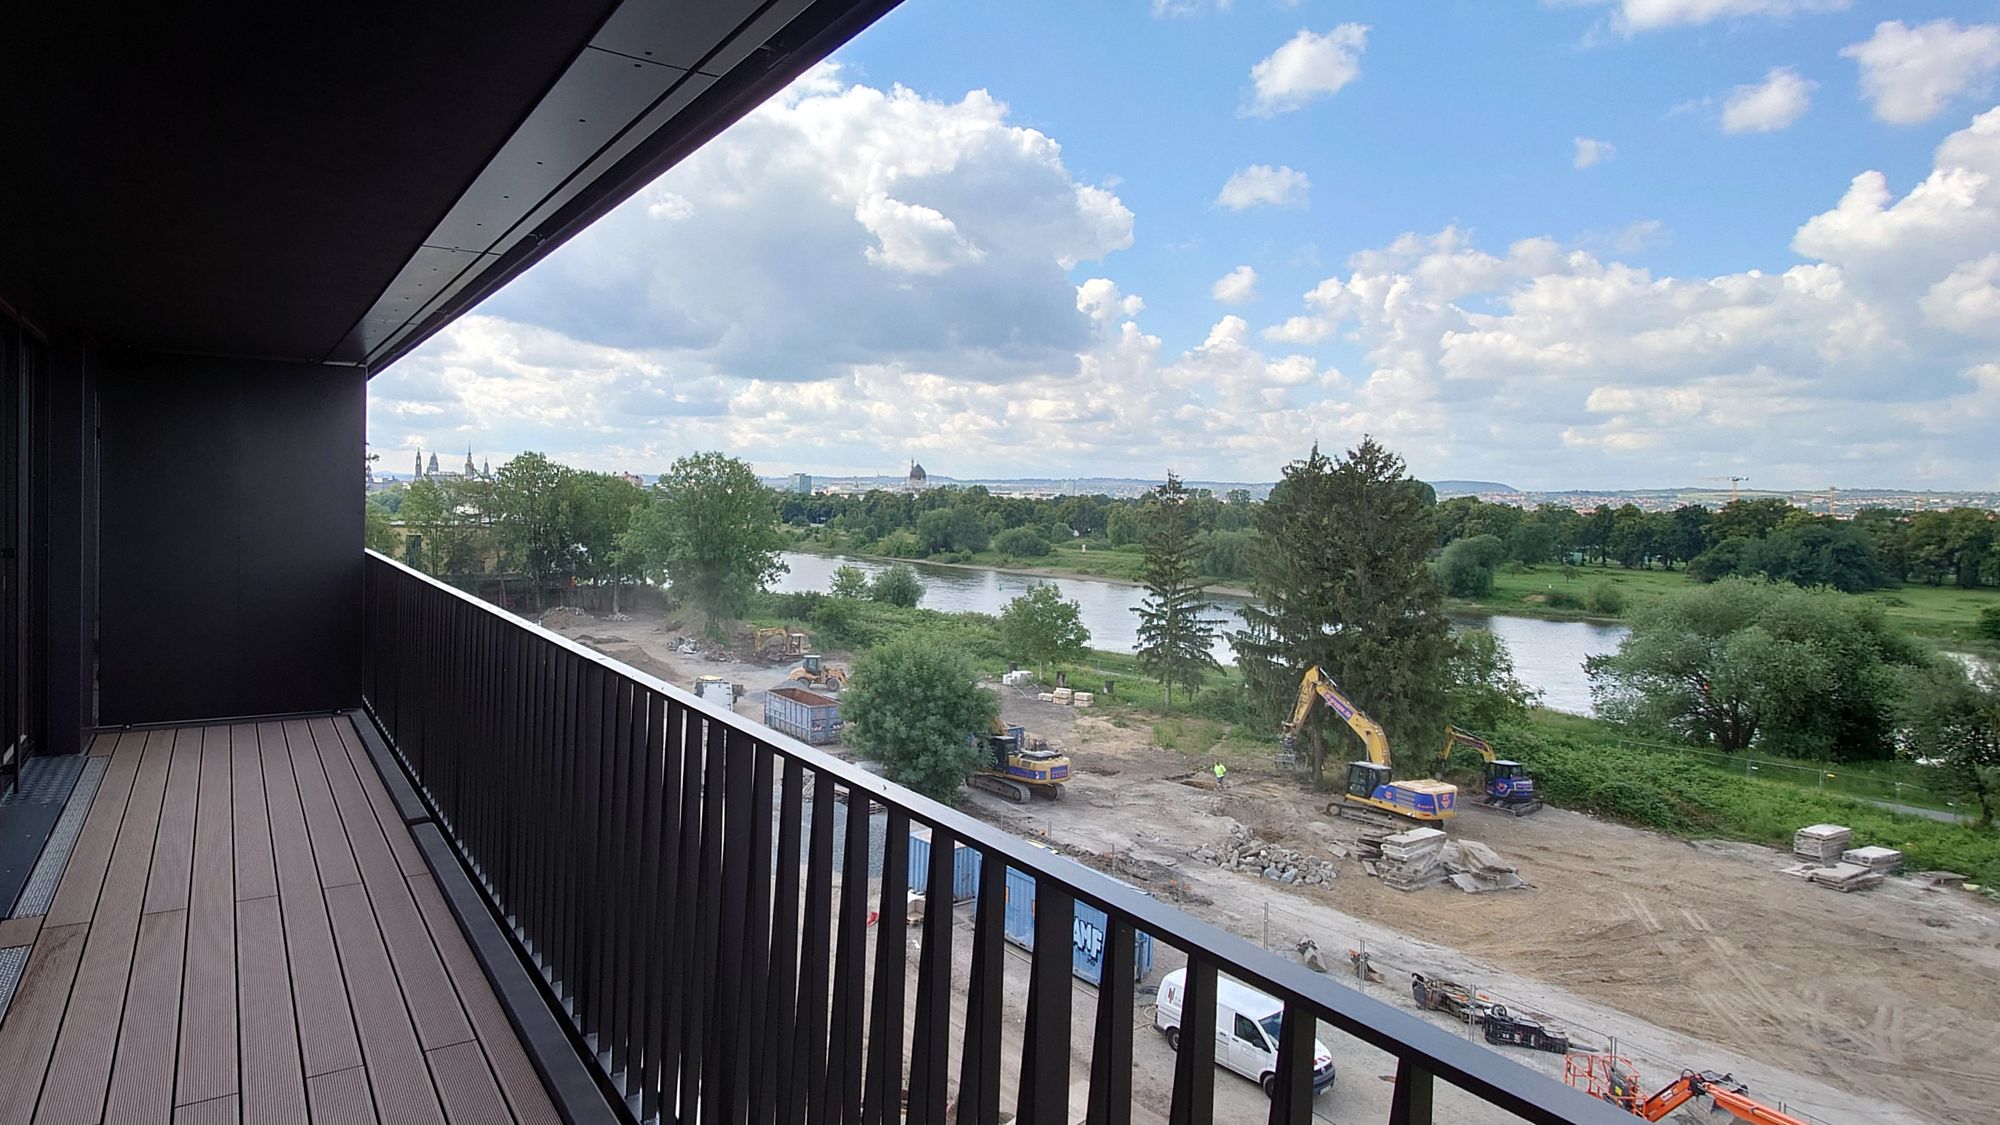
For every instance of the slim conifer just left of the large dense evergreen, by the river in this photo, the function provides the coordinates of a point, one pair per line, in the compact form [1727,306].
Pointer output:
[1175,640]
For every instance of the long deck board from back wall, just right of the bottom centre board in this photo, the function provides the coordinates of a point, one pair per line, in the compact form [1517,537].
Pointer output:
[321,1000]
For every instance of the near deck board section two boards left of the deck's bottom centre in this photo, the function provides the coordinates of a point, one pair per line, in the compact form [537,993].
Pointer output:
[143,1072]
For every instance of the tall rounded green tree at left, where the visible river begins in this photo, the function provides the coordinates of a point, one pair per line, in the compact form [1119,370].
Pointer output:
[711,533]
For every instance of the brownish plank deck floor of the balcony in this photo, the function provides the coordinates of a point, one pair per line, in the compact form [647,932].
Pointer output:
[247,932]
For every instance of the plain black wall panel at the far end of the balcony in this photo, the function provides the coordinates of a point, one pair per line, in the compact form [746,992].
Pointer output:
[229,537]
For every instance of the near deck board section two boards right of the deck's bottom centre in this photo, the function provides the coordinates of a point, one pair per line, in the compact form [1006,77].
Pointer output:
[397,1068]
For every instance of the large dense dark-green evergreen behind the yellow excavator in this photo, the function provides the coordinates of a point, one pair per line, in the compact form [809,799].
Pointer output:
[1343,584]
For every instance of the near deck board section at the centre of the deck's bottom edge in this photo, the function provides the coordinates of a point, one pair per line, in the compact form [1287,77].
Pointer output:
[273,1076]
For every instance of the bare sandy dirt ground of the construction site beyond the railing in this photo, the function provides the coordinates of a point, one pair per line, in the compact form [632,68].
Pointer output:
[1851,1008]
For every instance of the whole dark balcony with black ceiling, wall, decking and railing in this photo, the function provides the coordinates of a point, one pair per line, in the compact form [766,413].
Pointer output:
[309,836]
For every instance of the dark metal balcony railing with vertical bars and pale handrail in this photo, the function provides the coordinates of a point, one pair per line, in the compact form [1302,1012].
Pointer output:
[635,842]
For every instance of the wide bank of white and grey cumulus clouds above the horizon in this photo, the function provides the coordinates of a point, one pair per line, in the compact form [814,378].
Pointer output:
[1543,361]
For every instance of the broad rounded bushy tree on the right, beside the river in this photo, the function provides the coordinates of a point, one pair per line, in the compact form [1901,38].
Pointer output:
[1745,664]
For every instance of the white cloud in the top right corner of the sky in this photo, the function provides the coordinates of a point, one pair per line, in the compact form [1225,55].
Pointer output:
[1913,75]
